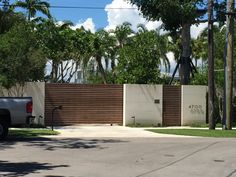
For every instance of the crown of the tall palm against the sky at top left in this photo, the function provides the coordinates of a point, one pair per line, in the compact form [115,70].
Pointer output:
[32,6]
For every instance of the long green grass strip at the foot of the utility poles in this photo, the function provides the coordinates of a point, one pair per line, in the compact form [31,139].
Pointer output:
[198,132]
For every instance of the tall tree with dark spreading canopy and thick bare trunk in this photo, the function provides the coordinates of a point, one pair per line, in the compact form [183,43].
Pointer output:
[175,15]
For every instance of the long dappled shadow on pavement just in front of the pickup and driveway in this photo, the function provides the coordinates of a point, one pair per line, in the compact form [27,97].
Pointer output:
[51,144]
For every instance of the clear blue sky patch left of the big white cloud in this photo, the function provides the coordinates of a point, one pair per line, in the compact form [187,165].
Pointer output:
[99,16]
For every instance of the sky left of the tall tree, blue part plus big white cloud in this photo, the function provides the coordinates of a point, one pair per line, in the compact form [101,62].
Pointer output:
[106,17]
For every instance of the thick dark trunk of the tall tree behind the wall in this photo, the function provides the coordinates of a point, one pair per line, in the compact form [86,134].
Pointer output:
[184,71]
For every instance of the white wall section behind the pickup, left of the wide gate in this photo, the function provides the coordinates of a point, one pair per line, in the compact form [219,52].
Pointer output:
[36,90]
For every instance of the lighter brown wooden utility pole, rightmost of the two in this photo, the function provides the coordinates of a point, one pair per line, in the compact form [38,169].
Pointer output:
[229,64]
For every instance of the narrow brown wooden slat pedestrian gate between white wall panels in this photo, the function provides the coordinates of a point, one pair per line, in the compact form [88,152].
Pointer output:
[171,105]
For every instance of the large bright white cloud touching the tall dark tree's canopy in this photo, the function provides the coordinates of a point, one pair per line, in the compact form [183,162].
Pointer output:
[116,16]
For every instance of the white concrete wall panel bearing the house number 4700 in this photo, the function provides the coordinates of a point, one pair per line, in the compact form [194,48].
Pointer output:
[193,101]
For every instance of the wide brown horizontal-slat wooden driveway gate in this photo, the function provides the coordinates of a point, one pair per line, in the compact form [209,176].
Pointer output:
[84,104]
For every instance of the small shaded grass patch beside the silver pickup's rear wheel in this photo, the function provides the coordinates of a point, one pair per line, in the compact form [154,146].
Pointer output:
[30,132]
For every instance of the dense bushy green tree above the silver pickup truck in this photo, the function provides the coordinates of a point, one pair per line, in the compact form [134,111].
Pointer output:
[21,59]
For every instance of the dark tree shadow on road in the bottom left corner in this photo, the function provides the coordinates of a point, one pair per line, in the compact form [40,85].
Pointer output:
[23,168]
